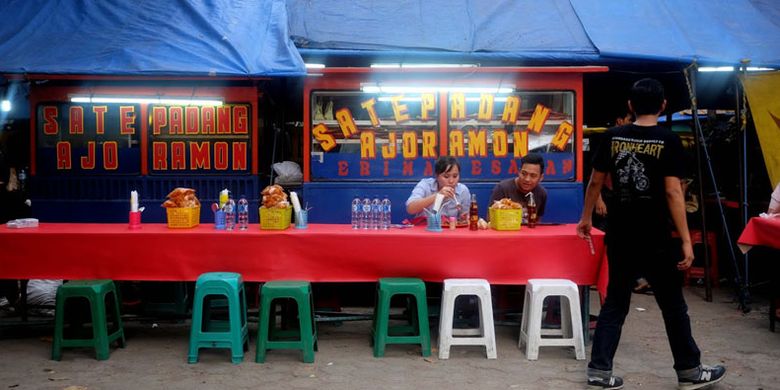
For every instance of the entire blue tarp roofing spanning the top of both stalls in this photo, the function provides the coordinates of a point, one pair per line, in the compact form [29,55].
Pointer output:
[251,38]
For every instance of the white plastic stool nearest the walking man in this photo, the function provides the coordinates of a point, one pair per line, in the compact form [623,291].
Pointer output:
[571,320]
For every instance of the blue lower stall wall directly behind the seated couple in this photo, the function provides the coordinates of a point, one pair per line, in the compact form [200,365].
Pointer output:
[331,201]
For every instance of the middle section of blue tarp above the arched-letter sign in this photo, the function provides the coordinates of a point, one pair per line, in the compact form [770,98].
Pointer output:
[443,25]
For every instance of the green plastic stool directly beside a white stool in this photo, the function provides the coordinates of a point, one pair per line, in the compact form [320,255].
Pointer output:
[417,332]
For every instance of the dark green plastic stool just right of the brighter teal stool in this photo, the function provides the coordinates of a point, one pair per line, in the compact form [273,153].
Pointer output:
[268,337]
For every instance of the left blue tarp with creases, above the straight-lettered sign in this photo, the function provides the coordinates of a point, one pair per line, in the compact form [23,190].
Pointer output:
[147,37]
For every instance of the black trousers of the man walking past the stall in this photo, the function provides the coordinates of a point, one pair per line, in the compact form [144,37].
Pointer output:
[658,265]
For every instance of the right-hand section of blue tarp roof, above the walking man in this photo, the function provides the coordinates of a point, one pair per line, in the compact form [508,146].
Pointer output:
[709,31]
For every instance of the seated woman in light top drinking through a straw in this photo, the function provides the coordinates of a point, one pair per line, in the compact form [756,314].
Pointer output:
[457,197]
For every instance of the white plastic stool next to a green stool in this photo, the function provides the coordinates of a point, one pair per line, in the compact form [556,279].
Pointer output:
[484,335]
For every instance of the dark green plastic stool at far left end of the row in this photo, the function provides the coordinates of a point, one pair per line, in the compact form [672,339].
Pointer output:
[96,292]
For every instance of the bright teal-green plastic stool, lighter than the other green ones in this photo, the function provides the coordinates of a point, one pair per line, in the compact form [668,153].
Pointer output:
[208,333]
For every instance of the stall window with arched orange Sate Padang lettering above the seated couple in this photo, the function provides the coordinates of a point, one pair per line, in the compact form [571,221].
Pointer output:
[398,136]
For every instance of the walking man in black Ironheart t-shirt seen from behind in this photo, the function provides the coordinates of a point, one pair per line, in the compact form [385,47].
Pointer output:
[646,164]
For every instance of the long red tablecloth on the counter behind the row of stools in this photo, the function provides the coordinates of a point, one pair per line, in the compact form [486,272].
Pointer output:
[321,253]
